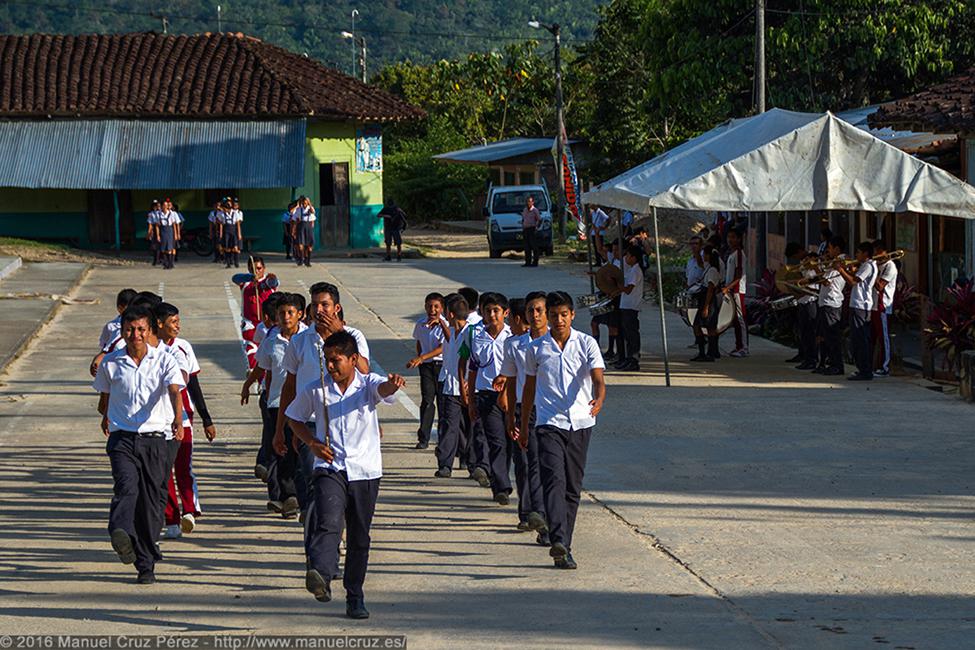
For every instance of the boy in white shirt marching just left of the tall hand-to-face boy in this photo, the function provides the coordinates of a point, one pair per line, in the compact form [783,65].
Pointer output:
[285,495]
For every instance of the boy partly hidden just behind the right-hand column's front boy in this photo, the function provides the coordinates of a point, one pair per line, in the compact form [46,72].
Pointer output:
[528,322]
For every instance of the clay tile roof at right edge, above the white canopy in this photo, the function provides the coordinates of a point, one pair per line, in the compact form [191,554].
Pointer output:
[946,108]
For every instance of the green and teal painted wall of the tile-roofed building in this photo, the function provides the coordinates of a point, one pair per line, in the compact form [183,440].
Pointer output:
[63,214]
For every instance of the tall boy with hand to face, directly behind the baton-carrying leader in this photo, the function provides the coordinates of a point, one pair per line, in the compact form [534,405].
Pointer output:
[303,360]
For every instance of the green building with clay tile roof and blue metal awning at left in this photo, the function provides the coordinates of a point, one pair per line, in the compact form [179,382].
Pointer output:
[93,128]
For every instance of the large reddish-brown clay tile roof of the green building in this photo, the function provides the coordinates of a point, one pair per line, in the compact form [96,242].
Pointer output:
[200,76]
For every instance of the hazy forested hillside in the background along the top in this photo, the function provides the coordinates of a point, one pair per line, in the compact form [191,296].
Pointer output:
[395,30]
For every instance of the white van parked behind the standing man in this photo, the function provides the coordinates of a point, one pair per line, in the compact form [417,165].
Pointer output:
[503,215]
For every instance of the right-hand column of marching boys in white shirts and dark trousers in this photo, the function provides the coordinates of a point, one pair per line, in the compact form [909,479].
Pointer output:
[514,384]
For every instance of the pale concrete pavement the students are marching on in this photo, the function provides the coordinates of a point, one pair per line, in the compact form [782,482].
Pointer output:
[746,506]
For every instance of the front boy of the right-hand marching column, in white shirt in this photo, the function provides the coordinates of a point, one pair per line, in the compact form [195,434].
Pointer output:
[564,384]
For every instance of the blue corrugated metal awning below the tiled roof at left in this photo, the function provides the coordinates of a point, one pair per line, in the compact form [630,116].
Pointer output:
[152,154]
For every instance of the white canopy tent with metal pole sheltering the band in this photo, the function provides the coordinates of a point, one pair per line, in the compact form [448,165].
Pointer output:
[783,161]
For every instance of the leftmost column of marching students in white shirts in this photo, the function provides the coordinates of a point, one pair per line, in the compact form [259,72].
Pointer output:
[147,379]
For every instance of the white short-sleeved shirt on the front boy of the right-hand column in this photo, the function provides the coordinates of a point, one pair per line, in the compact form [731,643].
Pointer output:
[563,384]
